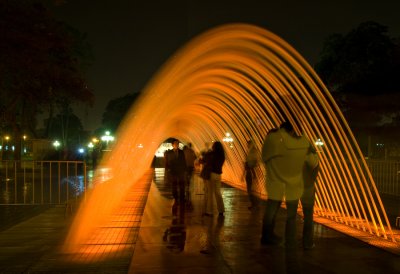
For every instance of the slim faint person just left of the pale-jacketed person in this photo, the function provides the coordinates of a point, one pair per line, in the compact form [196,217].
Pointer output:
[250,173]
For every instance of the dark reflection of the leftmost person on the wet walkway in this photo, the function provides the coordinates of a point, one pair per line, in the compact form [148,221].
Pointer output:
[175,235]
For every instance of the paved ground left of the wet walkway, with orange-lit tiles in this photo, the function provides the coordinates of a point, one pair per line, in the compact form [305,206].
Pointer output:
[35,245]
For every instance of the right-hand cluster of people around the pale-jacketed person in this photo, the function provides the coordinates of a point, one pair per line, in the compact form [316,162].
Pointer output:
[291,164]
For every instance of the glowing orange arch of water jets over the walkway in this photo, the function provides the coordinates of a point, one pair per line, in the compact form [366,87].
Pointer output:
[242,80]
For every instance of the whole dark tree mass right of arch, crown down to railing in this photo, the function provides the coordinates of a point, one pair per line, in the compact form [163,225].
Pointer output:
[361,69]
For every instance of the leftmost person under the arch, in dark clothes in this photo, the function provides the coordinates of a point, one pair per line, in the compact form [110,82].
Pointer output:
[175,166]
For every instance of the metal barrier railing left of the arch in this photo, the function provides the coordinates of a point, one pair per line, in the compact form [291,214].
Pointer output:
[42,182]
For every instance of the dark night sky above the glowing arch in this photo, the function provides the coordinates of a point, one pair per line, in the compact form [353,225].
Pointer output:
[132,39]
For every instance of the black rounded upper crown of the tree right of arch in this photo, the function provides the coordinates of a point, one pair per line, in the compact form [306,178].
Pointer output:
[365,61]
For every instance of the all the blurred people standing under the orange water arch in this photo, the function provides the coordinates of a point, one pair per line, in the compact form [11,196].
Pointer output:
[291,164]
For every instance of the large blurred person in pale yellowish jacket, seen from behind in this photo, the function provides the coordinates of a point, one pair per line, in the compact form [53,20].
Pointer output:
[285,155]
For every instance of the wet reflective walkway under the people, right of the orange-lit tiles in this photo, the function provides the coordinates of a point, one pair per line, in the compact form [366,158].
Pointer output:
[179,239]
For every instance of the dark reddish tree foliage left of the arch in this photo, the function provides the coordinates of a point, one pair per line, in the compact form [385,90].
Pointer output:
[40,64]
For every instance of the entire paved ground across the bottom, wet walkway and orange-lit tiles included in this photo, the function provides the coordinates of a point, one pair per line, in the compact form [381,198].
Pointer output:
[157,237]
